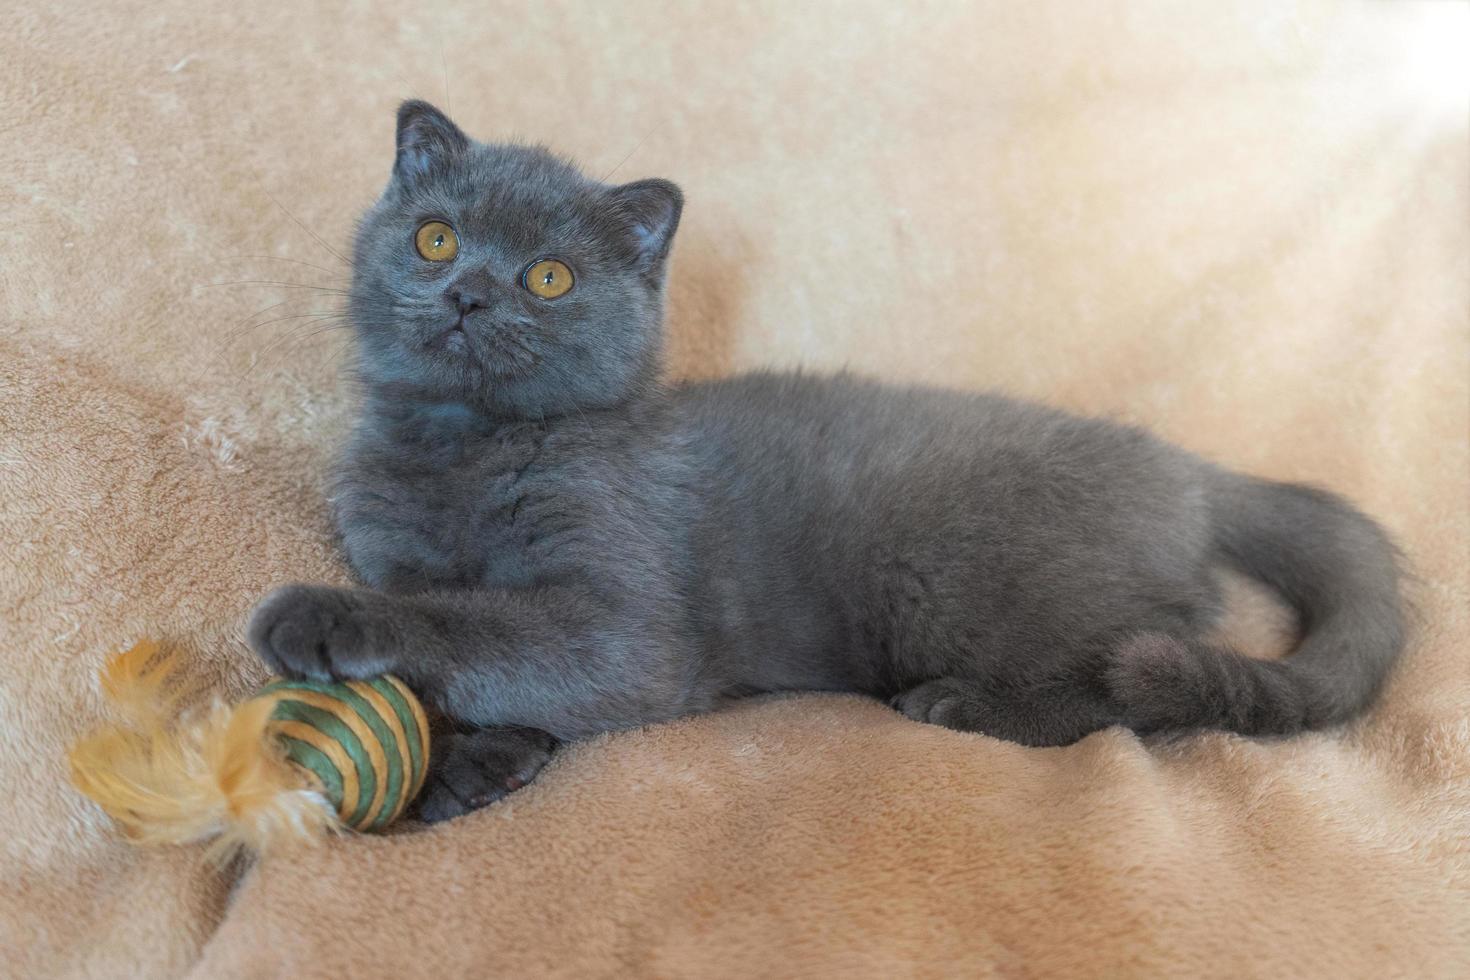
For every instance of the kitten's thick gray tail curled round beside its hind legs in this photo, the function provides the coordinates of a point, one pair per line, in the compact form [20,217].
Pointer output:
[1340,572]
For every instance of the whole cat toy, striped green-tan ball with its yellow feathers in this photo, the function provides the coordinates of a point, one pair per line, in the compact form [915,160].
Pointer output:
[296,762]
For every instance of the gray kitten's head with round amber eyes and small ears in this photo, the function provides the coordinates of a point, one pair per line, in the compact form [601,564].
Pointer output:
[501,277]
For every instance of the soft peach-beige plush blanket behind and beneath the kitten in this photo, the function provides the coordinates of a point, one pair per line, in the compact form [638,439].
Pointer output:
[1241,224]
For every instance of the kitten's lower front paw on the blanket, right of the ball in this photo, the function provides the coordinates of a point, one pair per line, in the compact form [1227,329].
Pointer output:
[476,769]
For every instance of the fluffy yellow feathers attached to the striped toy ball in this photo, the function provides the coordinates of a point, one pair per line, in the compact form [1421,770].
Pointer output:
[217,775]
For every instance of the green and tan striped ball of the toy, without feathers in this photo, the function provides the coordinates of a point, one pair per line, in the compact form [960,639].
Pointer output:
[365,744]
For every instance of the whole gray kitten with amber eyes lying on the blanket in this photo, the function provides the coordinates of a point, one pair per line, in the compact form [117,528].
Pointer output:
[555,544]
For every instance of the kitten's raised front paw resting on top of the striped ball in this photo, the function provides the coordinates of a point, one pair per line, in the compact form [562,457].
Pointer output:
[315,633]
